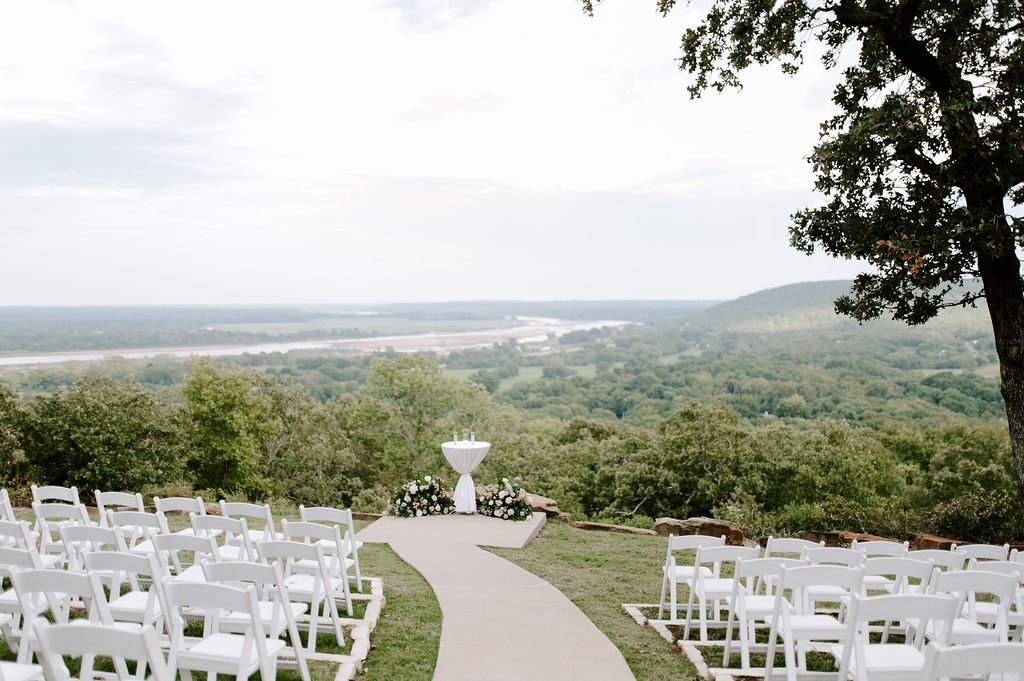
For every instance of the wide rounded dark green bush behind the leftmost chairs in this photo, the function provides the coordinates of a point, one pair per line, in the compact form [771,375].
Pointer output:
[103,435]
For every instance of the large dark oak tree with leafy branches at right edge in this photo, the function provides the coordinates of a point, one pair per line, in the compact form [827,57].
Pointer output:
[923,167]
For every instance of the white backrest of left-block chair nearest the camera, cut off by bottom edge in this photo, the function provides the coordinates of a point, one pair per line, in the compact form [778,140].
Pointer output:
[58,642]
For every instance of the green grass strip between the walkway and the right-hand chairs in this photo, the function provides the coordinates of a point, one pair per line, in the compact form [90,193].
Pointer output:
[600,572]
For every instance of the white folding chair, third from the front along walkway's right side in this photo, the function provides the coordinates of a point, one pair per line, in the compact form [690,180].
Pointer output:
[753,602]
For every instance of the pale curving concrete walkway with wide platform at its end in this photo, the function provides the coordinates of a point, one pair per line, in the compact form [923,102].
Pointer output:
[499,623]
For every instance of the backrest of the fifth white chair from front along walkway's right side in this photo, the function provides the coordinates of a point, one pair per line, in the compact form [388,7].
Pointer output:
[933,613]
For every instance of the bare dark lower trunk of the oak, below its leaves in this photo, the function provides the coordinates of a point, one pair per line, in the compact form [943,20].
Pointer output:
[1005,296]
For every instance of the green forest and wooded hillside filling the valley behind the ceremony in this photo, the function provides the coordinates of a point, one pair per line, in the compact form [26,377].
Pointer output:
[769,410]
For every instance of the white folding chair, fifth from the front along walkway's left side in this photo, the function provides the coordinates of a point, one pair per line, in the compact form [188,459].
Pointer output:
[221,652]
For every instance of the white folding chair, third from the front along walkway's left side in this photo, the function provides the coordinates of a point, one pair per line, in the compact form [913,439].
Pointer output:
[317,588]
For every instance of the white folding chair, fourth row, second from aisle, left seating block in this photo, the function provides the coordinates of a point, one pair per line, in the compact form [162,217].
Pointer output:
[140,605]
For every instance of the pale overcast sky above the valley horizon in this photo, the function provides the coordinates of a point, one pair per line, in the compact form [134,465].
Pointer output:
[389,151]
